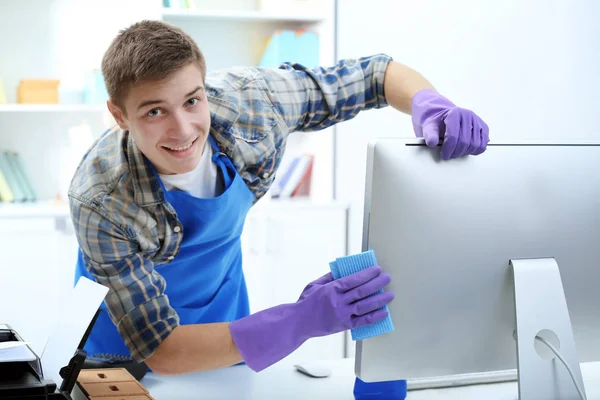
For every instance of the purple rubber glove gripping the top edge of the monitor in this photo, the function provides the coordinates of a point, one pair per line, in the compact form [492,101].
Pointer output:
[434,117]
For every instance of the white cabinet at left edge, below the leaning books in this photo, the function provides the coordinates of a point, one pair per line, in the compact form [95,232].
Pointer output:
[36,273]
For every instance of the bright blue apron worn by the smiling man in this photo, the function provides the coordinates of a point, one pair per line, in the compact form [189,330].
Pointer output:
[205,281]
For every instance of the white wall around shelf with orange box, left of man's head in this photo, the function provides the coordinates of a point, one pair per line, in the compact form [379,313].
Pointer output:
[57,39]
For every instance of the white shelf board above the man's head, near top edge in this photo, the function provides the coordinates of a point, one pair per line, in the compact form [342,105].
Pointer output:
[234,15]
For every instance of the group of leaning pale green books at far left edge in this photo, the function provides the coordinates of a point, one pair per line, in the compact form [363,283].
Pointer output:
[15,182]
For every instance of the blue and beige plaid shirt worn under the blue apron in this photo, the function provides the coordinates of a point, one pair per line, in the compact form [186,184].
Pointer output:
[123,223]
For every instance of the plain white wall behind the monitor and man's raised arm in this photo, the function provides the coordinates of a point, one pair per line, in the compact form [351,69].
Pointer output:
[528,68]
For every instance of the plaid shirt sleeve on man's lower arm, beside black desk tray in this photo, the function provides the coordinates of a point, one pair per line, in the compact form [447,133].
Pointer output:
[136,300]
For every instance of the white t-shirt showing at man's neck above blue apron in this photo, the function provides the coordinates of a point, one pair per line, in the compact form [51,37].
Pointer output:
[201,182]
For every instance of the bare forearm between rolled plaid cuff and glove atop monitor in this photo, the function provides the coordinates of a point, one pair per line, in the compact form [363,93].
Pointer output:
[400,85]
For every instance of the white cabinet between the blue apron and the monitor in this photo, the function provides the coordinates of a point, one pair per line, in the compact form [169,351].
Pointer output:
[287,245]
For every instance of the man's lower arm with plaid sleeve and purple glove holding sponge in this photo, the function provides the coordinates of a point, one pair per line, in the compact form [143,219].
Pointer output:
[150,327]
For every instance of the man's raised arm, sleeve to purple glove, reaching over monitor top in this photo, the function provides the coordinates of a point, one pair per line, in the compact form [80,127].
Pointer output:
[314,99]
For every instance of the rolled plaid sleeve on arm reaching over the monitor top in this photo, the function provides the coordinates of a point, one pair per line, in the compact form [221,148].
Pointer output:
[314,99]
